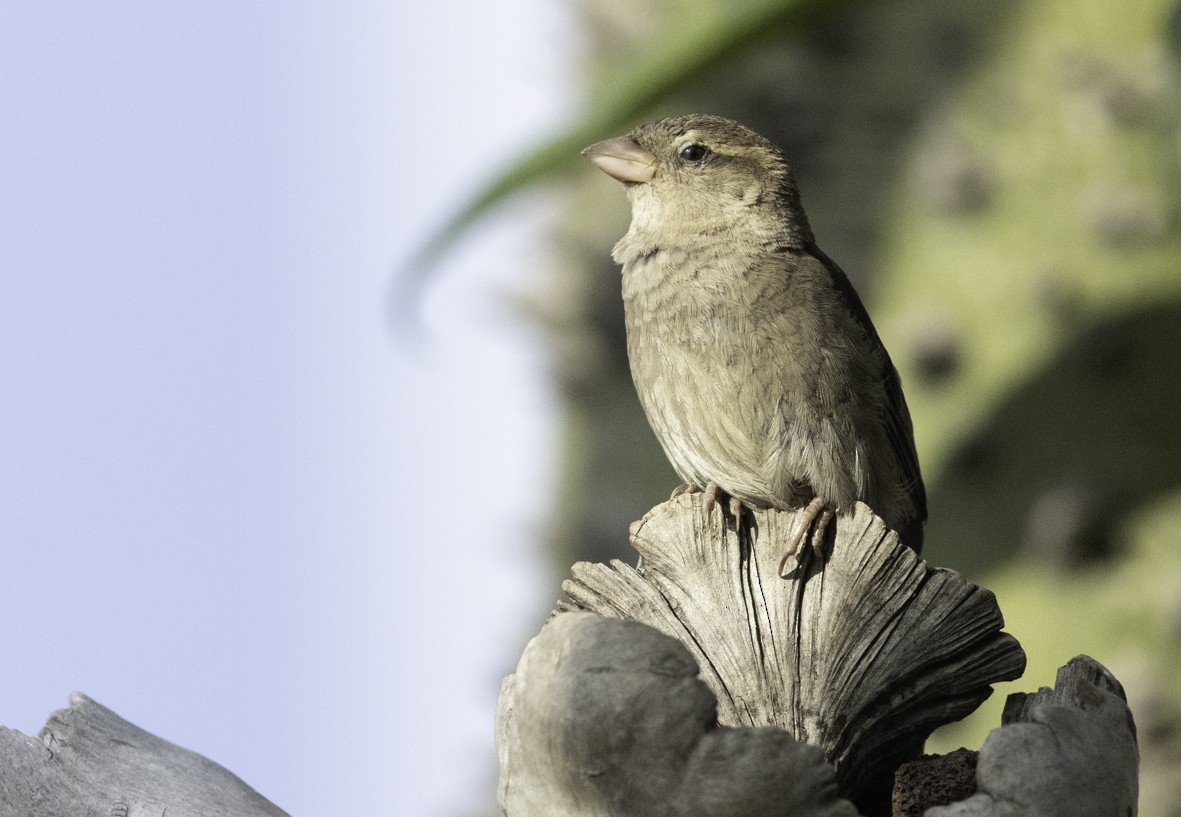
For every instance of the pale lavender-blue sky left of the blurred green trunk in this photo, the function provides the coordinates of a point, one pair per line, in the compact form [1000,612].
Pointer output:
[232,507]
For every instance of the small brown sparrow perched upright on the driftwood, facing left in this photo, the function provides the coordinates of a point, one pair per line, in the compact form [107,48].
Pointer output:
[755,361]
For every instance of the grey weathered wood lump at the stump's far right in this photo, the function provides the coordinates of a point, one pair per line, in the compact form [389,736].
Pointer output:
[1069,751]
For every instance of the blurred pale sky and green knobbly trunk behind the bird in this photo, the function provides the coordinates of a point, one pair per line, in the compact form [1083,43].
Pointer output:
[257,513]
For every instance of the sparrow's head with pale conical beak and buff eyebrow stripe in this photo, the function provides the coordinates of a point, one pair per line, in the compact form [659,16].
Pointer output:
[703,173]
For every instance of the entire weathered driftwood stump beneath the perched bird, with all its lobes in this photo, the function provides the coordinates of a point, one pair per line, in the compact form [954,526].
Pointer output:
[764,696]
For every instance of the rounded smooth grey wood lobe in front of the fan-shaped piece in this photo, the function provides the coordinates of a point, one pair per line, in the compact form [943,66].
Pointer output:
[608,718]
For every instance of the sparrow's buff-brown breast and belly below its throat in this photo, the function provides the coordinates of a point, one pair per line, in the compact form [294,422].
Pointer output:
[747,376]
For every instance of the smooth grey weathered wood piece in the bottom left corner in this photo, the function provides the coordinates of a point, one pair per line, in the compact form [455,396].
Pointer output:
[88,761]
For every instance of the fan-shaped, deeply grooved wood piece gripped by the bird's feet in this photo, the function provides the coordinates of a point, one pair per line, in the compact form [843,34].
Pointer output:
[863,656]
